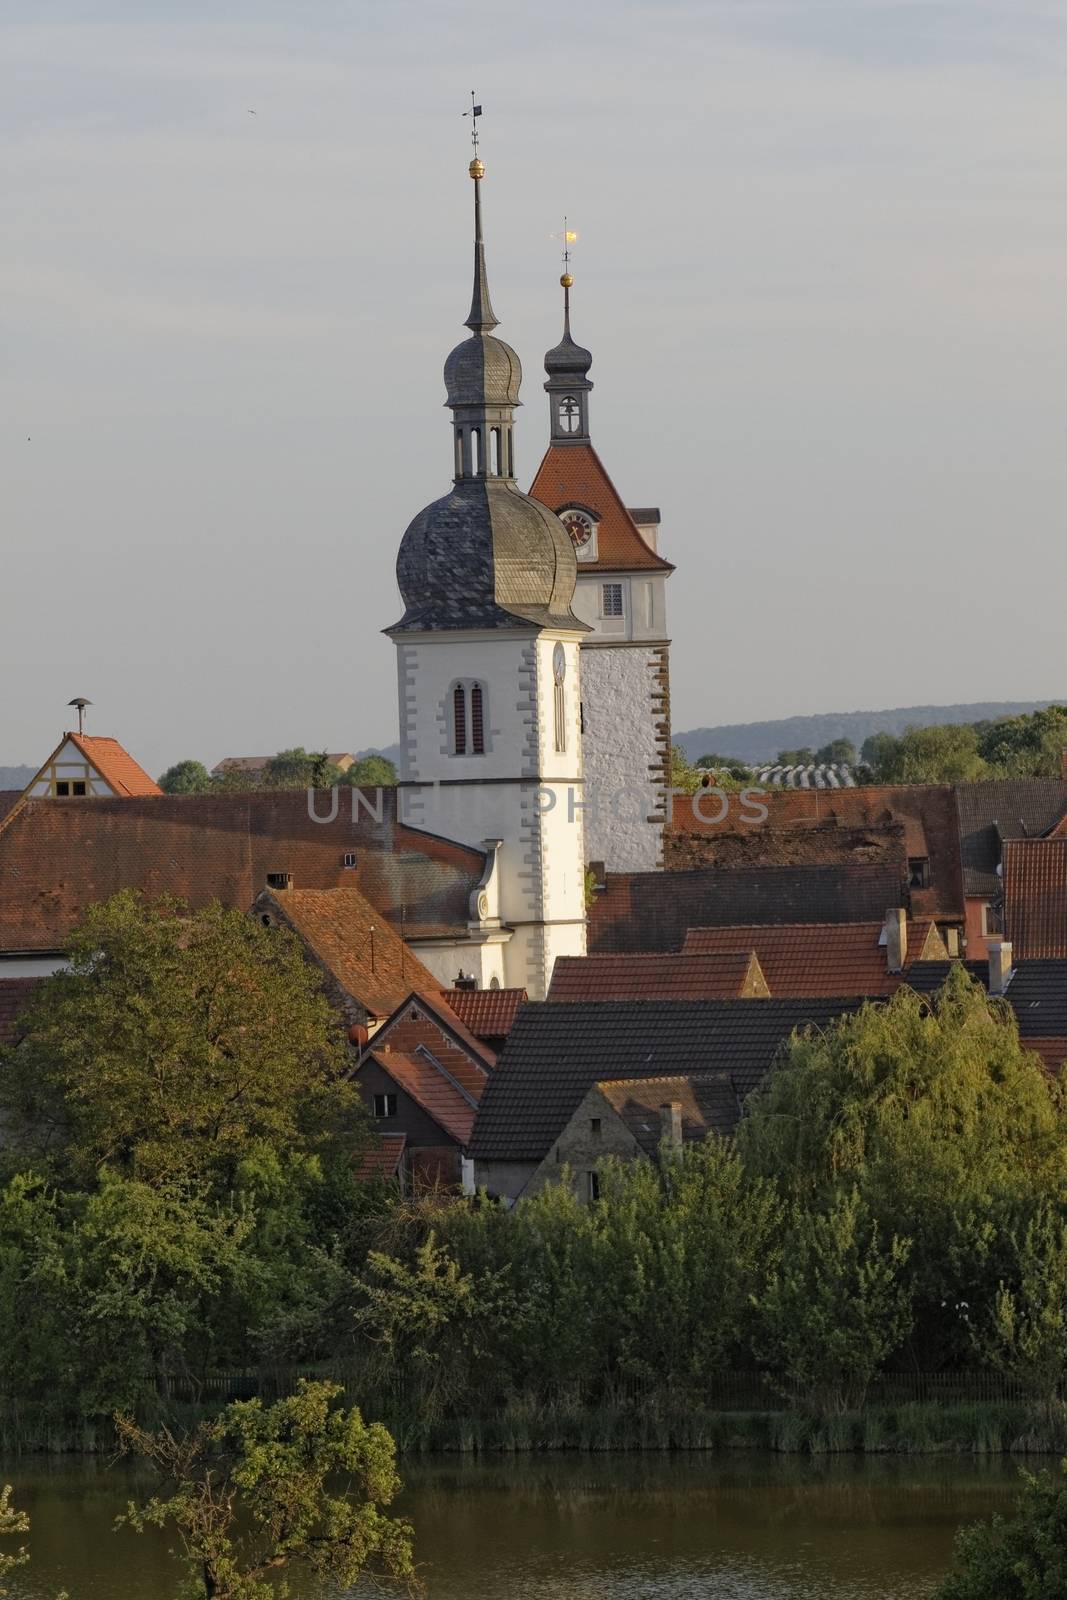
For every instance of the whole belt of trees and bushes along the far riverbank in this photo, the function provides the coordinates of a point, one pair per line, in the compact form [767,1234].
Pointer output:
[180,1209]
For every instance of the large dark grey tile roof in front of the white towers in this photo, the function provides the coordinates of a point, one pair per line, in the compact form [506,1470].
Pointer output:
[556,1052]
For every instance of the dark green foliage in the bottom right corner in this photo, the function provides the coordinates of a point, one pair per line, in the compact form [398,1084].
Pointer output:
[1021,1558]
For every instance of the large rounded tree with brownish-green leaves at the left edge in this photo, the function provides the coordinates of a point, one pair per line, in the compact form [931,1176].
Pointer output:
[175,1046]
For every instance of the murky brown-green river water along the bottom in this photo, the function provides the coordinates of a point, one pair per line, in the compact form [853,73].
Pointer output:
[650,1527]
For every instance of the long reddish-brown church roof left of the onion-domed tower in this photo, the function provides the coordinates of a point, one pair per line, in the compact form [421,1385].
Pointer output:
[58,857]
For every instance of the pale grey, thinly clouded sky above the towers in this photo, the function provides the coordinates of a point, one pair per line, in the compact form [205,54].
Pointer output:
[821,268]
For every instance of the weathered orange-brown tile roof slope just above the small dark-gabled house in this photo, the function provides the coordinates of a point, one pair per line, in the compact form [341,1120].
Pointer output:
[353,942]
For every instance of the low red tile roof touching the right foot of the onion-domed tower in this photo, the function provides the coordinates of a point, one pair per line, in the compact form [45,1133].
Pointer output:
[730,975]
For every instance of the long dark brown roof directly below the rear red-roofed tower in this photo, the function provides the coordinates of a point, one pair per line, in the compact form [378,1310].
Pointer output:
[653,911]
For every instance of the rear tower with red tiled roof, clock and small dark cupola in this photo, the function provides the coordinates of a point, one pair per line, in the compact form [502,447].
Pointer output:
[621,596]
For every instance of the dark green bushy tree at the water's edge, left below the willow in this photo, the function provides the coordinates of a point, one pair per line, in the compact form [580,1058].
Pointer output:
[836,1306]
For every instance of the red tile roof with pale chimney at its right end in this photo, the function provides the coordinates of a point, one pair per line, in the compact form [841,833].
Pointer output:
[820,959]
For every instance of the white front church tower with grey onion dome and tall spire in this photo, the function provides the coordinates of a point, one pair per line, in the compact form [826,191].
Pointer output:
[489,673]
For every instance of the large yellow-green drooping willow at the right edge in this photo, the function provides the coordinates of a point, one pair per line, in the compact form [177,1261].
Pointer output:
[951,1132]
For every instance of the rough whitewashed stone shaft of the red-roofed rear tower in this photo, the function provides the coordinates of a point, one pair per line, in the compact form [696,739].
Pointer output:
[620,746]
